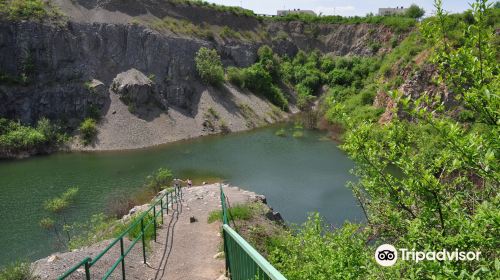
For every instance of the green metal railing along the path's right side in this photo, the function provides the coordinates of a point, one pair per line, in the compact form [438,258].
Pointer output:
[243,262]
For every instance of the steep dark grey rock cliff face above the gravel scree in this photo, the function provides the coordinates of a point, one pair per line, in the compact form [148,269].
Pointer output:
[56,62]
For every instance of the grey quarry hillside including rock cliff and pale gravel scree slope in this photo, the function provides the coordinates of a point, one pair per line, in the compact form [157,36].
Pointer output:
[62,66]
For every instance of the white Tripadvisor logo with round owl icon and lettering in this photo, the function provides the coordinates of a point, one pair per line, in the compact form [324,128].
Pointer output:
[387,255]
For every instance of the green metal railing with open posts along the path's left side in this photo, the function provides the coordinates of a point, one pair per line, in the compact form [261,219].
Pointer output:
[169,197]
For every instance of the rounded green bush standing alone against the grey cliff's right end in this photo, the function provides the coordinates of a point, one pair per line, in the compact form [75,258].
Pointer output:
[209,66]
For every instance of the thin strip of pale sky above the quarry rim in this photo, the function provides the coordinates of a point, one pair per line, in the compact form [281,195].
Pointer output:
[340,7]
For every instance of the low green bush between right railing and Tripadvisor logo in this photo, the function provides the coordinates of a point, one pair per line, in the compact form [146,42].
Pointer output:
[314,252]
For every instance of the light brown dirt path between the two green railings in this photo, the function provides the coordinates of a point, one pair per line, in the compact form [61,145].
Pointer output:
[187,250]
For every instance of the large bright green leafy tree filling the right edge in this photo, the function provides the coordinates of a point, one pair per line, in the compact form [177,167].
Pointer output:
[444,193]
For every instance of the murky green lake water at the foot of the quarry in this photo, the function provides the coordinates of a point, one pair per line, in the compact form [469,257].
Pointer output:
[297,175]
